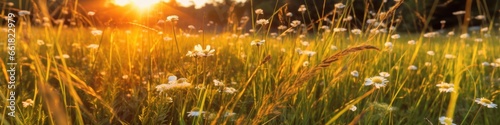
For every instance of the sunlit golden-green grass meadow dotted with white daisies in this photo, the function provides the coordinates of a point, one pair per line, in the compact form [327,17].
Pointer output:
[329,75]
